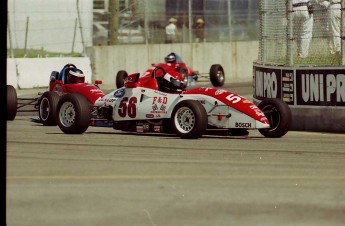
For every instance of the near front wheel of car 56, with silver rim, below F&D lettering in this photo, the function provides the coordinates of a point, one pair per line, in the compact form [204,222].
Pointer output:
[189,119]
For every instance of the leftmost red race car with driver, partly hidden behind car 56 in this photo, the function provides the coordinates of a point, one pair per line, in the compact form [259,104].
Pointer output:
[69,80]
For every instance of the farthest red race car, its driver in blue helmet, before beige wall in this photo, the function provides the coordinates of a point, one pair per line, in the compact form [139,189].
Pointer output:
[173,62]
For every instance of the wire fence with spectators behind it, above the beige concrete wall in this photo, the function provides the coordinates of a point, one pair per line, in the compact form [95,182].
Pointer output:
[146,21]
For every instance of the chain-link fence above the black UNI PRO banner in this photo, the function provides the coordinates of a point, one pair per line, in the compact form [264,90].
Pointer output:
[301,32]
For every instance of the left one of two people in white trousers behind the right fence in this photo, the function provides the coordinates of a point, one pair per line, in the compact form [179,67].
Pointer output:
[303,26]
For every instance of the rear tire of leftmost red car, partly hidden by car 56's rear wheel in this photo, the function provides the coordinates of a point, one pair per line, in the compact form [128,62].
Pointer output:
[48,107]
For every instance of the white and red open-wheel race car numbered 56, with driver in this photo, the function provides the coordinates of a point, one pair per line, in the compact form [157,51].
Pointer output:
[149,104]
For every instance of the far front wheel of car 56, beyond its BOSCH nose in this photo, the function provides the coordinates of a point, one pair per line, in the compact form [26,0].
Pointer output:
[279,116]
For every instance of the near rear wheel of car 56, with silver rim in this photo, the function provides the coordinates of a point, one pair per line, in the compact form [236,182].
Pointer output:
[73,114]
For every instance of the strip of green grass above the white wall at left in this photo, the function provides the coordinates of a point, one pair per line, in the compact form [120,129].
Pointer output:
[38,53]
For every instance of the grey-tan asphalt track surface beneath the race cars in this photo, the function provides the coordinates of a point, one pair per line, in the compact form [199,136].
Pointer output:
[109,177]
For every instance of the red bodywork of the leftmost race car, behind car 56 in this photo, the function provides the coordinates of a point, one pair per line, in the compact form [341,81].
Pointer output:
[90,91]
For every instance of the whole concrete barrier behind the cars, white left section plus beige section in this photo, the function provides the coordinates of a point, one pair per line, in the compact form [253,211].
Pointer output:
[103,62]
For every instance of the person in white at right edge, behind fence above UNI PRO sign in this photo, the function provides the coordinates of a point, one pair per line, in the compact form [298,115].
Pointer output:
[333,17]
